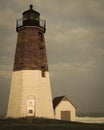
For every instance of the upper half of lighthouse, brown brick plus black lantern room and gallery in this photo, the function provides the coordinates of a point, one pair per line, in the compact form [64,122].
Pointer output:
[30,50]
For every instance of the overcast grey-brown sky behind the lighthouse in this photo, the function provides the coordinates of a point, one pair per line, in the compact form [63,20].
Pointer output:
[75,49]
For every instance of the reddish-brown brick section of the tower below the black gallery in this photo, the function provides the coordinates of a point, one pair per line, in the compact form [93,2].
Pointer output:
[28,54]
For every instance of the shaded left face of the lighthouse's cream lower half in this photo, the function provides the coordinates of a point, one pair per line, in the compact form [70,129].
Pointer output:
[15,95]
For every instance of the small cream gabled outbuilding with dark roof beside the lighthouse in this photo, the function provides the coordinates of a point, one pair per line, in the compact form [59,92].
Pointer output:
[64,109]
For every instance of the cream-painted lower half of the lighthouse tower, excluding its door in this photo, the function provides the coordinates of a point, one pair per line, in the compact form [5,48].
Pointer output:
[27,84]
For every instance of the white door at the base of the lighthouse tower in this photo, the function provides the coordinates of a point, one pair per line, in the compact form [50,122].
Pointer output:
[30,107]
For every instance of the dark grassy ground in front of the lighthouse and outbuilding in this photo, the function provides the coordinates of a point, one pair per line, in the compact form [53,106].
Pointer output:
[45,124]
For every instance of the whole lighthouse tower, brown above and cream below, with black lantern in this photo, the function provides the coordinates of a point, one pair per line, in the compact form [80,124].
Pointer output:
[30,92]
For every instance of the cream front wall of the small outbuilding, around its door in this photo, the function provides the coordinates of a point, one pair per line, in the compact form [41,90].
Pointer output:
[65,106]
